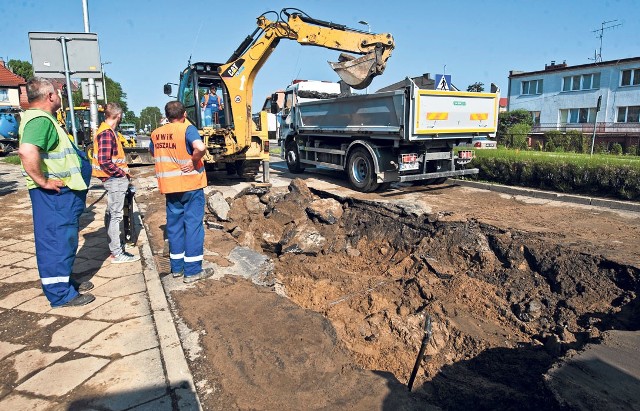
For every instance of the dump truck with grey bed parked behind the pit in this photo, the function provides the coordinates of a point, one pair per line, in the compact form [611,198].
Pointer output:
[409,134]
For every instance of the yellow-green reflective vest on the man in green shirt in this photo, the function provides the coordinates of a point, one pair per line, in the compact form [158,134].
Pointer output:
[61,163]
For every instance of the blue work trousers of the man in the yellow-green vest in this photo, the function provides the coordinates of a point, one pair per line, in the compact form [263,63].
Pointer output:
[56,219]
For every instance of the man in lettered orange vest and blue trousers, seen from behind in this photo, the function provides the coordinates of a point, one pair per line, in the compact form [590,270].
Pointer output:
[178,149]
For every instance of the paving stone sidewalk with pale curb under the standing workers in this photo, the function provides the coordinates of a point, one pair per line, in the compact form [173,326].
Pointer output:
[119,352]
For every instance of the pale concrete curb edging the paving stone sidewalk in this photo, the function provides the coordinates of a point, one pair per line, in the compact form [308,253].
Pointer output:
[177,370]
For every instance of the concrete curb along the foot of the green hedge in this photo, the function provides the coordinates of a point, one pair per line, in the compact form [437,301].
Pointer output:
[547,195]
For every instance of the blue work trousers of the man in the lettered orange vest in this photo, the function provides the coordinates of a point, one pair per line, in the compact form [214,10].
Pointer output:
[185,231]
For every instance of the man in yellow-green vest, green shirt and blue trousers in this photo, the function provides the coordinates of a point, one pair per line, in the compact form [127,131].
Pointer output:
[58,176]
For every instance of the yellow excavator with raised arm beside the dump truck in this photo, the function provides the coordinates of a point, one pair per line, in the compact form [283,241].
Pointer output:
[234,141]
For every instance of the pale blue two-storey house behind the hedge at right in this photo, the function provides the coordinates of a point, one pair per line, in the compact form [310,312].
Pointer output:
[563,97]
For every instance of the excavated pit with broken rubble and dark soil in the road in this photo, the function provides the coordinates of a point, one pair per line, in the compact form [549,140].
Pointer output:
[505,304]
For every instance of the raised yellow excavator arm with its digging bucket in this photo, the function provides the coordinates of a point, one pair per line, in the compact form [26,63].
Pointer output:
[240,70]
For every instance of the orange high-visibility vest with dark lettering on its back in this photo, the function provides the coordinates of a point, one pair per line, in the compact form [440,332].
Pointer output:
[170,152]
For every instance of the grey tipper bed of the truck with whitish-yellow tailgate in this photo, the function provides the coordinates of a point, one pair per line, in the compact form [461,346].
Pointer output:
[409,114]
